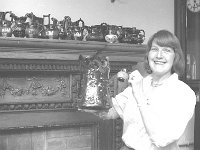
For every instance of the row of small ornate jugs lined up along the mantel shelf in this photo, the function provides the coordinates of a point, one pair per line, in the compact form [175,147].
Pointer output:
[31,26]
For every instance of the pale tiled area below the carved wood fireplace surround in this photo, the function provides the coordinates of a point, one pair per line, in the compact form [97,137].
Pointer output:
[78,137]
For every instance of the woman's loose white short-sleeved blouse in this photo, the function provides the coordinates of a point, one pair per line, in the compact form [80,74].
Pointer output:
[173,105]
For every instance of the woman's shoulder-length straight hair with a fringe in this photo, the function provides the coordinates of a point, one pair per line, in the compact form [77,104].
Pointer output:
[165,38]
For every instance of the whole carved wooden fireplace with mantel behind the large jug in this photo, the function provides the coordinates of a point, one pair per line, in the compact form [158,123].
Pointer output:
[40,82]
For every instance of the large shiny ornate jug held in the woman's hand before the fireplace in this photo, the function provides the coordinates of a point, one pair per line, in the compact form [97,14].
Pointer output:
[95,88]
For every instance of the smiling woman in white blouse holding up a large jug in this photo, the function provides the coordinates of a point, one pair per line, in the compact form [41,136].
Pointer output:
[155,109]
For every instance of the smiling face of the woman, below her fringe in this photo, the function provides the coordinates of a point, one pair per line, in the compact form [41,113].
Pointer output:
[161,59]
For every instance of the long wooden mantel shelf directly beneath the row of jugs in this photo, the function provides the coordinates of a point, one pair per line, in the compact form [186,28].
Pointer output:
[26,48]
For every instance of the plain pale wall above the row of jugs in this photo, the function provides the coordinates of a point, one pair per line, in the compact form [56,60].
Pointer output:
[150,15]
